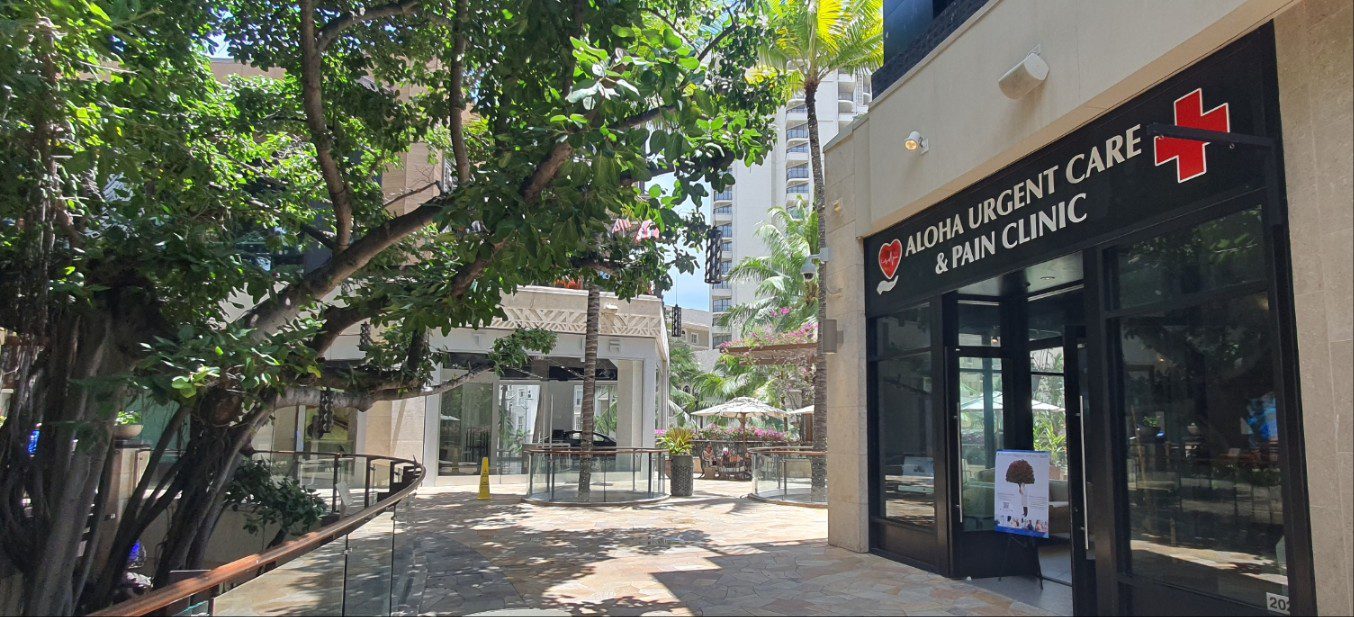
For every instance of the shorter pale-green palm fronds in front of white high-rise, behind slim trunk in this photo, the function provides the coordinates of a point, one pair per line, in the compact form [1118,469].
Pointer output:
[785,301]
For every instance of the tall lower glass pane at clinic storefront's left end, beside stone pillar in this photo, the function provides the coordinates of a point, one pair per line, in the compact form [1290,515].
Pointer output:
[907,440]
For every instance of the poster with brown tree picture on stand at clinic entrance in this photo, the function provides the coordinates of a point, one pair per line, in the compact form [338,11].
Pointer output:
[1023,493]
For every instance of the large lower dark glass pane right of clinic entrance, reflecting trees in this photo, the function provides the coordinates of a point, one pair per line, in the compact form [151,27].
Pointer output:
[1203,473]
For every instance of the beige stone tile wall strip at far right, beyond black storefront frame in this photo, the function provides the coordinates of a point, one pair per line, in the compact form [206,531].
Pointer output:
[1315,48]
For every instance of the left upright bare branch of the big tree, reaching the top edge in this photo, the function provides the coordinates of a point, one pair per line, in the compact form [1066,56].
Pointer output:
[312,95]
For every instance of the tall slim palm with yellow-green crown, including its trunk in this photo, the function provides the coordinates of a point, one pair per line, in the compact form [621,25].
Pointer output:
[812,41]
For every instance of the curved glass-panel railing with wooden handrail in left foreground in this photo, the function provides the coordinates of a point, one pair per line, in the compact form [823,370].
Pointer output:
[358,565]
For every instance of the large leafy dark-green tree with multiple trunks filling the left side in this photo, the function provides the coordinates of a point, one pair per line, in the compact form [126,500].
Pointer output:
[156,220]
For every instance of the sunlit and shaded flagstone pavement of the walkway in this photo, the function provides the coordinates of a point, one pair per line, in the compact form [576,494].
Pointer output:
[712,554]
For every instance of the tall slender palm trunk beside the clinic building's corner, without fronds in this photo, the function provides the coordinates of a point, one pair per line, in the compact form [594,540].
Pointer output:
[816,159]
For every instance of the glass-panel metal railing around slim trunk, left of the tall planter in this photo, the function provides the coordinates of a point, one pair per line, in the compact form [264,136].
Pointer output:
[617,476]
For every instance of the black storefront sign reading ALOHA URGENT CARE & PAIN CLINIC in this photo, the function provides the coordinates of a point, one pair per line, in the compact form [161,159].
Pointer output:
[1093,183]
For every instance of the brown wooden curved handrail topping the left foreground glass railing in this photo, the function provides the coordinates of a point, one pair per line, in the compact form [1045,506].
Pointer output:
[248,565]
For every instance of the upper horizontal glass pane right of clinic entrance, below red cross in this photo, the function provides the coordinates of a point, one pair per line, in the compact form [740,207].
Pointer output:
[1218,254]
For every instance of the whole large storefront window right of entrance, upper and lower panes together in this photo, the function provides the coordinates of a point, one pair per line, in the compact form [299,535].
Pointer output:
[1199,415]
